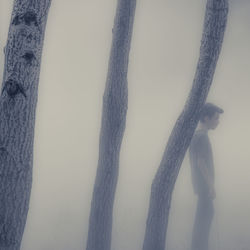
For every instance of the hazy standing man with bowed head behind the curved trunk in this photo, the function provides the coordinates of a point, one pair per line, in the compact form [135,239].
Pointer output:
[202,169]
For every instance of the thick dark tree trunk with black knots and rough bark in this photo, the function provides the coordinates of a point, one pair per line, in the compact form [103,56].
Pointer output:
[17,116]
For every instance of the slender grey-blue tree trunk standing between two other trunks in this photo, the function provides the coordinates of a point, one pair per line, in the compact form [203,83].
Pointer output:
[112,129]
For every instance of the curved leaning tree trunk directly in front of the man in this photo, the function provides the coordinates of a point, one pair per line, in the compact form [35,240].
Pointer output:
[163,183]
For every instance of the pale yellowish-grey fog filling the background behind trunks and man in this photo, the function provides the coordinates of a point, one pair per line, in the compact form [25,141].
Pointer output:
[163,58]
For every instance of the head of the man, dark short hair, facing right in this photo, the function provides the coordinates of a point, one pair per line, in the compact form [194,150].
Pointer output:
[209,116]
